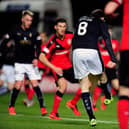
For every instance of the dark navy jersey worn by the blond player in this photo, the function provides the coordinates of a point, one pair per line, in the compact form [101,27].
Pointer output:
[27,43]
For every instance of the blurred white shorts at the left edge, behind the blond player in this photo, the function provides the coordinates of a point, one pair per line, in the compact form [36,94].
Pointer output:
[8,74]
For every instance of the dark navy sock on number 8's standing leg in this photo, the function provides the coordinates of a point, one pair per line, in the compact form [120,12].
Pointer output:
[87,104]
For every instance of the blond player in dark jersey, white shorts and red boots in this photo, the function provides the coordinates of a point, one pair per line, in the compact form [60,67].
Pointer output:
[27,39]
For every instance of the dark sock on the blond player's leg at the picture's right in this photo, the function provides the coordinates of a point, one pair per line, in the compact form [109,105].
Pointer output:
[39,96]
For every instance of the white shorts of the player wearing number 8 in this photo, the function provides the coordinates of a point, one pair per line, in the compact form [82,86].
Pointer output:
[85,62]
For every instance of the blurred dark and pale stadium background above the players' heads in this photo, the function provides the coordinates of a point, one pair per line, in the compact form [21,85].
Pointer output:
[46,11]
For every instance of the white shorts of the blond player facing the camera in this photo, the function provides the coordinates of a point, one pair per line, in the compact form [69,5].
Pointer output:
[31,71]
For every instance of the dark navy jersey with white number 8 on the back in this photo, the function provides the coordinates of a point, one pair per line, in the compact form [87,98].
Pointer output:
[87,32]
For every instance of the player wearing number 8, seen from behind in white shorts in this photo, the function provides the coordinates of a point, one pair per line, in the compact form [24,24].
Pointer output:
[87,62]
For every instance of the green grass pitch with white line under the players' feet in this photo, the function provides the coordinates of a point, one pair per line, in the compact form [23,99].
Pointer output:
[30,118]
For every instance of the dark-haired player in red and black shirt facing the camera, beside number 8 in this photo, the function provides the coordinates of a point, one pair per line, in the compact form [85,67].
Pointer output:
[58,47]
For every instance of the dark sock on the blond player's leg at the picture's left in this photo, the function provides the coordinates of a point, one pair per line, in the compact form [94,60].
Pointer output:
[14,95]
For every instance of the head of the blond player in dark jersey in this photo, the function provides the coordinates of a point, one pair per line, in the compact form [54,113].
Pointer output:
[27,18]
